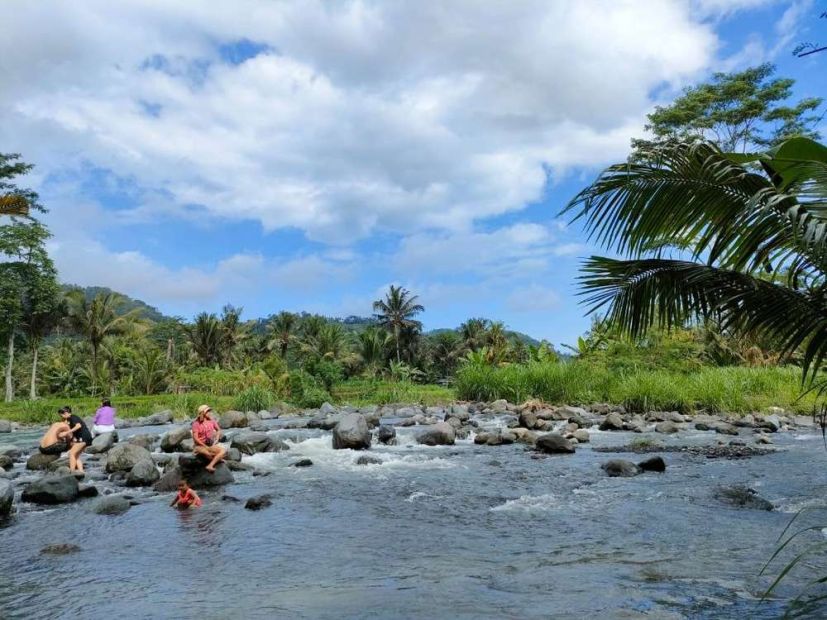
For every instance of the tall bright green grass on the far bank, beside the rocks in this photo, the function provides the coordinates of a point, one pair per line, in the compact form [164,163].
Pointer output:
[730,389]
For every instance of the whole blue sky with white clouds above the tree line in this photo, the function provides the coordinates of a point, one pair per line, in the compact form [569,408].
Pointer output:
[306,155]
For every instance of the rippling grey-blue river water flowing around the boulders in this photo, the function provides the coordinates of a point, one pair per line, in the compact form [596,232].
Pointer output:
[464,531]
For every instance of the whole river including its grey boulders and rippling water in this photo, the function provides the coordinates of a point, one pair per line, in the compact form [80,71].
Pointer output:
[483,509]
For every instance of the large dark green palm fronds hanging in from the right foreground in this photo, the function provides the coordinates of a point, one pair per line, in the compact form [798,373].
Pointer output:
[751,239]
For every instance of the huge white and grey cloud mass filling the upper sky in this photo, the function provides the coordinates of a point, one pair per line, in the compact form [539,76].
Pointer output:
[363,116]
